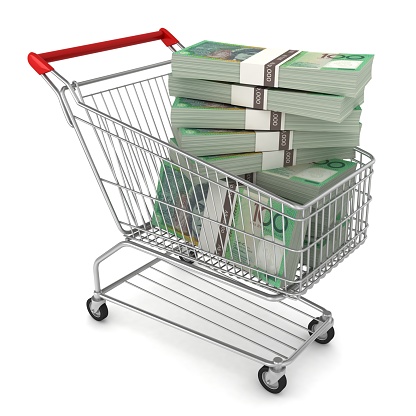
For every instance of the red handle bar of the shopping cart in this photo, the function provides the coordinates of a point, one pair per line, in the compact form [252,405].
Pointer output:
[40,62]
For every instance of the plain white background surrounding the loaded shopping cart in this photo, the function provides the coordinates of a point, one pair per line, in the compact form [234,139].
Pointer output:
[55,360]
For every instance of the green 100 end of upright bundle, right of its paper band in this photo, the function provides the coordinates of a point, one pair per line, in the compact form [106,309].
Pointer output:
[263,232]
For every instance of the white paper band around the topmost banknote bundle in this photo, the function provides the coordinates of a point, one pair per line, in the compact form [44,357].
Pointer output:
[263,67]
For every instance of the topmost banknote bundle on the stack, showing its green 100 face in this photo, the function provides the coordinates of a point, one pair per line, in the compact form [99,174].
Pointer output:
[331,73]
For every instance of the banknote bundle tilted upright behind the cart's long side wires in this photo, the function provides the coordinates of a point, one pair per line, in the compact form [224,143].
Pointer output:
[194,211]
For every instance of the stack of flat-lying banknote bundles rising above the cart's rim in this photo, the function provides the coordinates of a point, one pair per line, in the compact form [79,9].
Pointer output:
[234,99]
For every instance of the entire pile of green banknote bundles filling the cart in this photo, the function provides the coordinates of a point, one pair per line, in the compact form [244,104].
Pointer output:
[287,121]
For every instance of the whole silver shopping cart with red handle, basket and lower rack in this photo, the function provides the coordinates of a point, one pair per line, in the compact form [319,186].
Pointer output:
[159,198]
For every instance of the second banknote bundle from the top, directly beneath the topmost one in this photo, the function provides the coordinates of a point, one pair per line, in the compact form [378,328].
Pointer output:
[333,108]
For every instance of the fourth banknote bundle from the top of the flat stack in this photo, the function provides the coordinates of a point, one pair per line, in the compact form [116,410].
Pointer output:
[200,142]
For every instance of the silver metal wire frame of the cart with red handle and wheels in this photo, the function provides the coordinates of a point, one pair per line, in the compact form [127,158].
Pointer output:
[166,246]
